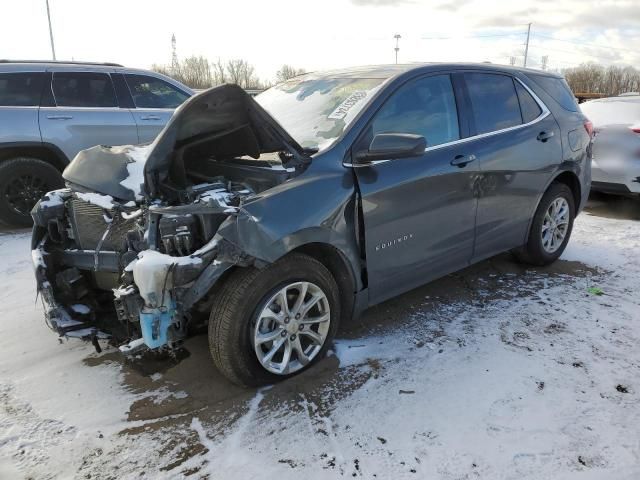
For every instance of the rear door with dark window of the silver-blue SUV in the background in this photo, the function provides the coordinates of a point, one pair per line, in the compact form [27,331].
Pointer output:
[83,111]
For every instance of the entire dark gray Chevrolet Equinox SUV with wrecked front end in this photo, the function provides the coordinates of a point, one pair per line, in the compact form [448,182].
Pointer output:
[276,218]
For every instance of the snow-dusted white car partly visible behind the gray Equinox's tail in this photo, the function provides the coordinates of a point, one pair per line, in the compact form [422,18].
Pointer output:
[616,147]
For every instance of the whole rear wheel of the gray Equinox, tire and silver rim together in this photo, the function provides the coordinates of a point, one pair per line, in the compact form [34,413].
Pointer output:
[551,227]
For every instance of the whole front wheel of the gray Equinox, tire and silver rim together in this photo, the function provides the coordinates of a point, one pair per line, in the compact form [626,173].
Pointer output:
[269,324]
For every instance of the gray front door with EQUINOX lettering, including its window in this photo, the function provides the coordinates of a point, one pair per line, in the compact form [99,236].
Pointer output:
[419,212]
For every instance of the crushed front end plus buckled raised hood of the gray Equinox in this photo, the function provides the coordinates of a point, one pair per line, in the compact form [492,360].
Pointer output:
[131,249]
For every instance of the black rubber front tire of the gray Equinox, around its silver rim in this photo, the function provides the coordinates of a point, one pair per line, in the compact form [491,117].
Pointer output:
[237,309]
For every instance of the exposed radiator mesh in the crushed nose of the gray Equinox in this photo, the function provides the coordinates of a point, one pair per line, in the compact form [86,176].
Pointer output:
[90,222]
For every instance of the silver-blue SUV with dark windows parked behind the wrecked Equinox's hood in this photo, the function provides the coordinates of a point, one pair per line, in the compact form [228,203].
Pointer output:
[51,111]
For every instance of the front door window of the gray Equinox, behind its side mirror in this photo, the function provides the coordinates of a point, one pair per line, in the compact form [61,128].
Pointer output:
[424,107]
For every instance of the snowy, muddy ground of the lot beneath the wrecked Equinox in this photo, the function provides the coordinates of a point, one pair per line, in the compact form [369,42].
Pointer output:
[520,373]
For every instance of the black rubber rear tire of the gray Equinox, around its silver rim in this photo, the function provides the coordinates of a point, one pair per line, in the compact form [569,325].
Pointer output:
[536,251]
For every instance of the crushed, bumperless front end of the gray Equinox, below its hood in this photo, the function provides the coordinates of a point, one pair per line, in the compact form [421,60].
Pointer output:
[131,273]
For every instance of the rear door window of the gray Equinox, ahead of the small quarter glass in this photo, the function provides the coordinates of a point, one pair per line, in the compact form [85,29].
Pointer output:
[494,101]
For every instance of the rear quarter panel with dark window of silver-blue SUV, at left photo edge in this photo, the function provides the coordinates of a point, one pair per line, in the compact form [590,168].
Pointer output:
[19,102]
